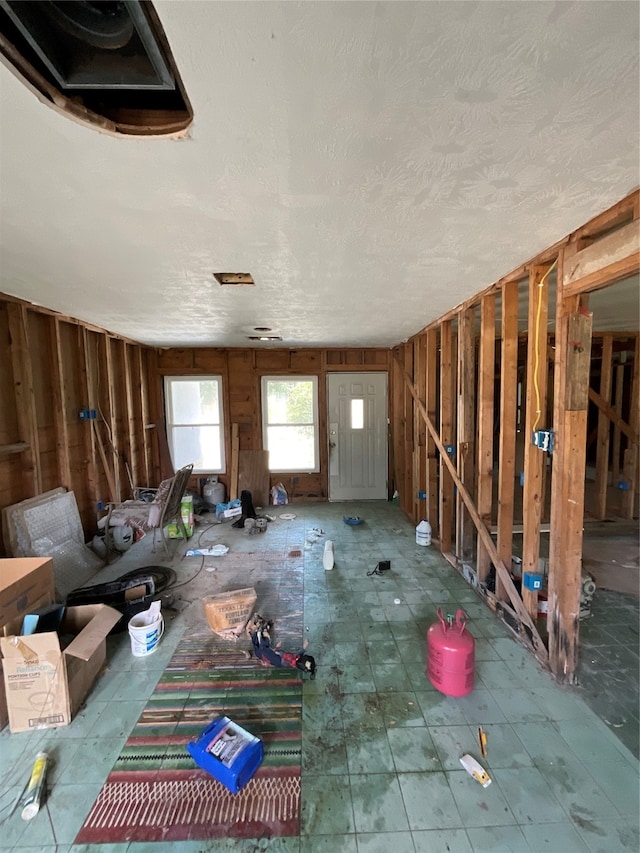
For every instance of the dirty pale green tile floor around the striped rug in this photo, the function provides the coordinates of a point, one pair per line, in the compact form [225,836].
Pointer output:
[380,768]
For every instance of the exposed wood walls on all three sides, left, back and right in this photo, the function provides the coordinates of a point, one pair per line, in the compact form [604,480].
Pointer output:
[51,366]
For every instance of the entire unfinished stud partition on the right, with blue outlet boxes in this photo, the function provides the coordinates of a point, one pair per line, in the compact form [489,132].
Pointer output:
[471,390]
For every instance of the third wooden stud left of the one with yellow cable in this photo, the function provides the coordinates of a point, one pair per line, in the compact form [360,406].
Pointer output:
[466,443]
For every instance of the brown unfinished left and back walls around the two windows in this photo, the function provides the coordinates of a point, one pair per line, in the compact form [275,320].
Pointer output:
[52,367]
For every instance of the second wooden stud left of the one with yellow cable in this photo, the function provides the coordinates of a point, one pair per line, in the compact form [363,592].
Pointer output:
[486,383]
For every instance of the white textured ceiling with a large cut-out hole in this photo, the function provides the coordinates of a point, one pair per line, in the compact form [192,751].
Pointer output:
[371,165]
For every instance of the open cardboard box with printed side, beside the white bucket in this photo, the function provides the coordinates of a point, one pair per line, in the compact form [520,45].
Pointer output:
[45,684]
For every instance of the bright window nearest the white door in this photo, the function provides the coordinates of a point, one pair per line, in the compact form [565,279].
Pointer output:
[290,422]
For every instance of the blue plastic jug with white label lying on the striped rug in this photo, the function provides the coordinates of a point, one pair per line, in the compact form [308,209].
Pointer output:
[228,752]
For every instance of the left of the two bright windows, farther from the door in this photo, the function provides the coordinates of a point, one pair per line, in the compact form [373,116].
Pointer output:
[195,422]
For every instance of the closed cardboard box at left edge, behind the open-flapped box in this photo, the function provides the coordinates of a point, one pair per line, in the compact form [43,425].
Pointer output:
[26,583]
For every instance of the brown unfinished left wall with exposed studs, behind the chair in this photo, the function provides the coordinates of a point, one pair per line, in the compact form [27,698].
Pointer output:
[51,368]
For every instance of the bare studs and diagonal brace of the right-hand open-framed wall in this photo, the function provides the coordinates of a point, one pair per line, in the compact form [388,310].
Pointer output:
[593,257]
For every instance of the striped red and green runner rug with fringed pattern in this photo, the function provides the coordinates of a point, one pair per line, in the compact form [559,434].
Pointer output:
[156,792]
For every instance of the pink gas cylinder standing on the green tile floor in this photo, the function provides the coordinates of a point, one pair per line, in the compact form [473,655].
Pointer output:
[451,652]
